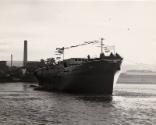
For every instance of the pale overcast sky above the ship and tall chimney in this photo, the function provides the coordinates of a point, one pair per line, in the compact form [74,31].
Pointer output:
[47,24]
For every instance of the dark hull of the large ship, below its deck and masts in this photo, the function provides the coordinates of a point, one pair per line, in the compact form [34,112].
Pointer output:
[94,77]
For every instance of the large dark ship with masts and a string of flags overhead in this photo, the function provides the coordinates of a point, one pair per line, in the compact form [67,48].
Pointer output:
[81,75]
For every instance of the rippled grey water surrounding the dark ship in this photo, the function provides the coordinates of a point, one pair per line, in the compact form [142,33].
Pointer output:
[131,104]
